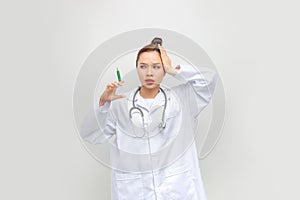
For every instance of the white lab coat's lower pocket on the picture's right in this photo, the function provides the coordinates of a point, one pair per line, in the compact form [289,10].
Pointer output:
[179,185]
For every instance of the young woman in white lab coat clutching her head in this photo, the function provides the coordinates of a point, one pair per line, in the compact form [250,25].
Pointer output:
[154,155]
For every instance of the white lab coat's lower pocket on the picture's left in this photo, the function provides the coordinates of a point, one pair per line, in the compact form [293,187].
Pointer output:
[129,186]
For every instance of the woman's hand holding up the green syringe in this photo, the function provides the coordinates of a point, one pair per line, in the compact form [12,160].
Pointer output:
[110,93]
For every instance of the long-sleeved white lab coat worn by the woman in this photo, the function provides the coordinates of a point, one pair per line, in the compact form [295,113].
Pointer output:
[171,153]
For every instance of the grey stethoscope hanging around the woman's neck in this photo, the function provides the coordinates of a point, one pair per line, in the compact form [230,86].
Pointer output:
[162,124]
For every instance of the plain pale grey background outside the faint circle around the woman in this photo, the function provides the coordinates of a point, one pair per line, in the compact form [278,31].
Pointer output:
[254,45]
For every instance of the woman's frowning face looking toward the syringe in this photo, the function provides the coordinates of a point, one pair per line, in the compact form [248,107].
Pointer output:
[150,69]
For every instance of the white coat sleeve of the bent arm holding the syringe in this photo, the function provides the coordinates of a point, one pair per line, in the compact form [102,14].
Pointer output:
[98,125]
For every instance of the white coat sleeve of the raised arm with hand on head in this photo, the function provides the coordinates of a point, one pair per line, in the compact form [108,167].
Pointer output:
[197,92]
